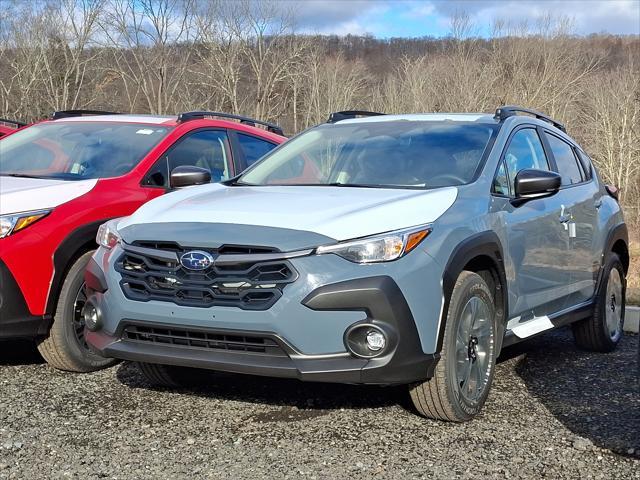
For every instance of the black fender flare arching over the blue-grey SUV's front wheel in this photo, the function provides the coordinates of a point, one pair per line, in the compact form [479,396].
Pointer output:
[484,244]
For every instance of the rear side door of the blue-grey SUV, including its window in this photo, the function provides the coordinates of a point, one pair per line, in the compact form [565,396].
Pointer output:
[579,196]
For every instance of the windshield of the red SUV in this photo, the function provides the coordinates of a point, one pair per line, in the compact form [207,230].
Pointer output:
[77,151]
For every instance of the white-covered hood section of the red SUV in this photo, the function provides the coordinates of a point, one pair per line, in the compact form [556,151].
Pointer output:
[19,194]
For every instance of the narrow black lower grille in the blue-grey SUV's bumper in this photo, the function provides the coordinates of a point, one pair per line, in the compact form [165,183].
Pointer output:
[200,339]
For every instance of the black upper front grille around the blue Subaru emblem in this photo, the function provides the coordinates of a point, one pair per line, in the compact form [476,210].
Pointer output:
[249,285]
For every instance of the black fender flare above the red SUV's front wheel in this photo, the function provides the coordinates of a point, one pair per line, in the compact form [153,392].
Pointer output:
[68,249]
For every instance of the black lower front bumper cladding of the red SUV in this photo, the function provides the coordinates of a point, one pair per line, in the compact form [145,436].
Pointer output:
[15,319]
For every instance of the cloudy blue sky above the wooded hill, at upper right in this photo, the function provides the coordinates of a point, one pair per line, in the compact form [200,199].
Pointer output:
[418,18]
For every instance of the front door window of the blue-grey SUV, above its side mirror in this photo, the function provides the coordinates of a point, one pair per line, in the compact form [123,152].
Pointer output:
[524,152]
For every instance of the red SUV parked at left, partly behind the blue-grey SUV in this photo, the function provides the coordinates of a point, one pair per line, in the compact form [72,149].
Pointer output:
[62,178]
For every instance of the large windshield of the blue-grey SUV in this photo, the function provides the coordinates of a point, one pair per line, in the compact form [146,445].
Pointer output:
[398,154]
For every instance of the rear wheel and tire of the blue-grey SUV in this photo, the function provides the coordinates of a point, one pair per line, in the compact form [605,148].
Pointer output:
[602,332]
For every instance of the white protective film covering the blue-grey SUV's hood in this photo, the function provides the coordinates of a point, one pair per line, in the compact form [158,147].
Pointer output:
[340,213]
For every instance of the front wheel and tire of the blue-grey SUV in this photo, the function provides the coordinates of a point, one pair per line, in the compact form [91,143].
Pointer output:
[463,375]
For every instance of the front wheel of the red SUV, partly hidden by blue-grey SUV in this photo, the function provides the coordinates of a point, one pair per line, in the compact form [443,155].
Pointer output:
[65,348]
